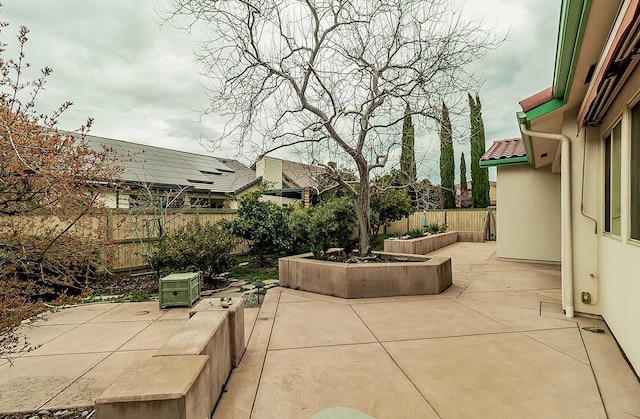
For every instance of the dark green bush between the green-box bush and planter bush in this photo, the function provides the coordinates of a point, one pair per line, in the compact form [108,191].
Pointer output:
[264,224]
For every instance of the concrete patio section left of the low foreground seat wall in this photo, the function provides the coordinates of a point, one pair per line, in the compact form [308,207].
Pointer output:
[82,350]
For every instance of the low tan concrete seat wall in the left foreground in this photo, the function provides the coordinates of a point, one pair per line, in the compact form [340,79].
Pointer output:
[173,384]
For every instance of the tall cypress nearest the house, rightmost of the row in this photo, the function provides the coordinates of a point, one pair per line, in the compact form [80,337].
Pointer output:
[479,175]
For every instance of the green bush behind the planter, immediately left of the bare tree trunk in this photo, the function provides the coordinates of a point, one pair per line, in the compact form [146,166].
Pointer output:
[331,224]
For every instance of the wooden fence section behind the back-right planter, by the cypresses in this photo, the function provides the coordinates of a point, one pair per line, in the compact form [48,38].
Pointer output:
[481,219]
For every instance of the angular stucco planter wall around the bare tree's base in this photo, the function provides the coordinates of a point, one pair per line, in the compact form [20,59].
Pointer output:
[428,276]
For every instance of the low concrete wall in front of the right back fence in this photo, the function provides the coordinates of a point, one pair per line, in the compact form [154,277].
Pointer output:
[428,244]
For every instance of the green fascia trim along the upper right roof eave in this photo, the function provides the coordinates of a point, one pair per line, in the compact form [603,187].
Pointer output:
[573,21]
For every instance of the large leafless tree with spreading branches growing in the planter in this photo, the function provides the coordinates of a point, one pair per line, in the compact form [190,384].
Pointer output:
[337,74]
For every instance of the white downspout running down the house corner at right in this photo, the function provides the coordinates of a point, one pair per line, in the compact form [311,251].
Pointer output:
[565,209]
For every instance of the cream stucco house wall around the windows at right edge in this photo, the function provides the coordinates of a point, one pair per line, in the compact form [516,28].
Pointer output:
[616,280]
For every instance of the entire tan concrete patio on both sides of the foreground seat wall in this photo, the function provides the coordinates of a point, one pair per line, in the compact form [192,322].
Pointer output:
[495,344]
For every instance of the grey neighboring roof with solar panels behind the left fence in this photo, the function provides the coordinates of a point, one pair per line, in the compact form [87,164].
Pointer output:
[165,168]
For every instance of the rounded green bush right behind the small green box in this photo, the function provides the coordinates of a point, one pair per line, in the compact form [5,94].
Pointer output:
[200,247]
